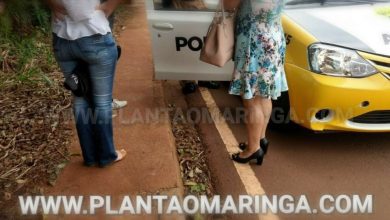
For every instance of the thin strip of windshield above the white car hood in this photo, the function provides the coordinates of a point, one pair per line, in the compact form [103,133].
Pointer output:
[332,2]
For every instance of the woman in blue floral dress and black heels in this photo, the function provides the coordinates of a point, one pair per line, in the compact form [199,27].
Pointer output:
[259,69]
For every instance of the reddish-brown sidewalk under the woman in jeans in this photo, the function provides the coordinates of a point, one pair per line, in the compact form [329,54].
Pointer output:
[151,165]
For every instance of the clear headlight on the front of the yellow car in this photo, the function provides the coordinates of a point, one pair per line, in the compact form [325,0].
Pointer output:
[337,61]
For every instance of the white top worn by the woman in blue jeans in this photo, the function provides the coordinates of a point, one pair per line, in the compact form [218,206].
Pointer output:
[82,20]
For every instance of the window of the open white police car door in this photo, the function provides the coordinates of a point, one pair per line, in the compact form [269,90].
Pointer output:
[185,5]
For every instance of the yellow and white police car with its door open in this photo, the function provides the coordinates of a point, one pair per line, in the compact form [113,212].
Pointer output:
[337,61]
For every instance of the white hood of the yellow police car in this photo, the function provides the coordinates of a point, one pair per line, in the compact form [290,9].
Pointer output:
[358,27]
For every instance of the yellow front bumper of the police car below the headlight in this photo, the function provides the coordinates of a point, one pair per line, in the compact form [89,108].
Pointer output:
[320,102]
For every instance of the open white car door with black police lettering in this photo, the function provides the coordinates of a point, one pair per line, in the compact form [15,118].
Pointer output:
[177,34]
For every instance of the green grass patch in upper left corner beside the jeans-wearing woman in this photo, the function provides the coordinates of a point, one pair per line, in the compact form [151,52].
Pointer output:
[25,52]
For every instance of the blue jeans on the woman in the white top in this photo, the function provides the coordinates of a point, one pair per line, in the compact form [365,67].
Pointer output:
[93,118]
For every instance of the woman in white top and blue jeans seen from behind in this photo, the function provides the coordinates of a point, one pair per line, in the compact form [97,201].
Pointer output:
[81,32]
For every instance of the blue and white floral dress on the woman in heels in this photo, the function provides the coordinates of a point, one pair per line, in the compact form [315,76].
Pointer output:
[260,50]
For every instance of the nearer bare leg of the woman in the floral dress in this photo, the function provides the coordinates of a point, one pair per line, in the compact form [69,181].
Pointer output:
[254,125]
